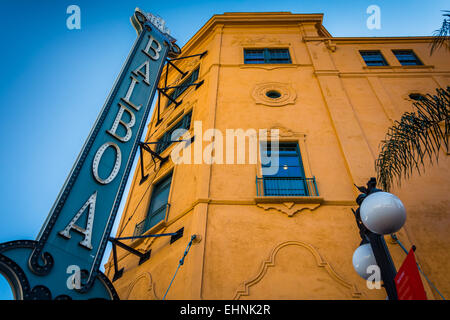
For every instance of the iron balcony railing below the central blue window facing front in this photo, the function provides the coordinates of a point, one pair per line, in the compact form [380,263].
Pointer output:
[286,186]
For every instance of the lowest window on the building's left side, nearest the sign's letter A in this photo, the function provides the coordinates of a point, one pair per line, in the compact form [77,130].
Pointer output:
[158,203]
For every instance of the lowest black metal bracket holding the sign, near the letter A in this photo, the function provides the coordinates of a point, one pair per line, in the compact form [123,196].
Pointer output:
[174,236]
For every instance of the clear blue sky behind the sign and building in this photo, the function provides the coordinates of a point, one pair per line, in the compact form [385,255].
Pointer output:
[55,80]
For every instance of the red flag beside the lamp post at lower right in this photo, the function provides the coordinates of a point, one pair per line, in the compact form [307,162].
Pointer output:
[408,282]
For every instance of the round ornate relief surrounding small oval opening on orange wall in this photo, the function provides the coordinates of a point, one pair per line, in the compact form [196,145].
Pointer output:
[282,94]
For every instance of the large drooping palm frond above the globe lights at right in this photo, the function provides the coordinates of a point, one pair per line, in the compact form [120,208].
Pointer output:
[416,137]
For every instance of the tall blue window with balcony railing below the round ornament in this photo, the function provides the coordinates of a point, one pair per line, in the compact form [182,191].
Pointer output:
[290,178]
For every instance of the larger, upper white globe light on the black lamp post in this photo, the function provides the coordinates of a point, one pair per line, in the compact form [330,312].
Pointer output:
[383,213]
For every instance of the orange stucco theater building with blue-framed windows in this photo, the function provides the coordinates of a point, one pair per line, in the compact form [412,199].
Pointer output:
[290,235]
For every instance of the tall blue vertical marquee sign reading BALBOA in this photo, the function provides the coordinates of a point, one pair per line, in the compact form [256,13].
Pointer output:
[76,232]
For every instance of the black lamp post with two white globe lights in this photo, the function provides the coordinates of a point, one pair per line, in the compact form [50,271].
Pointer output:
[379,213]
